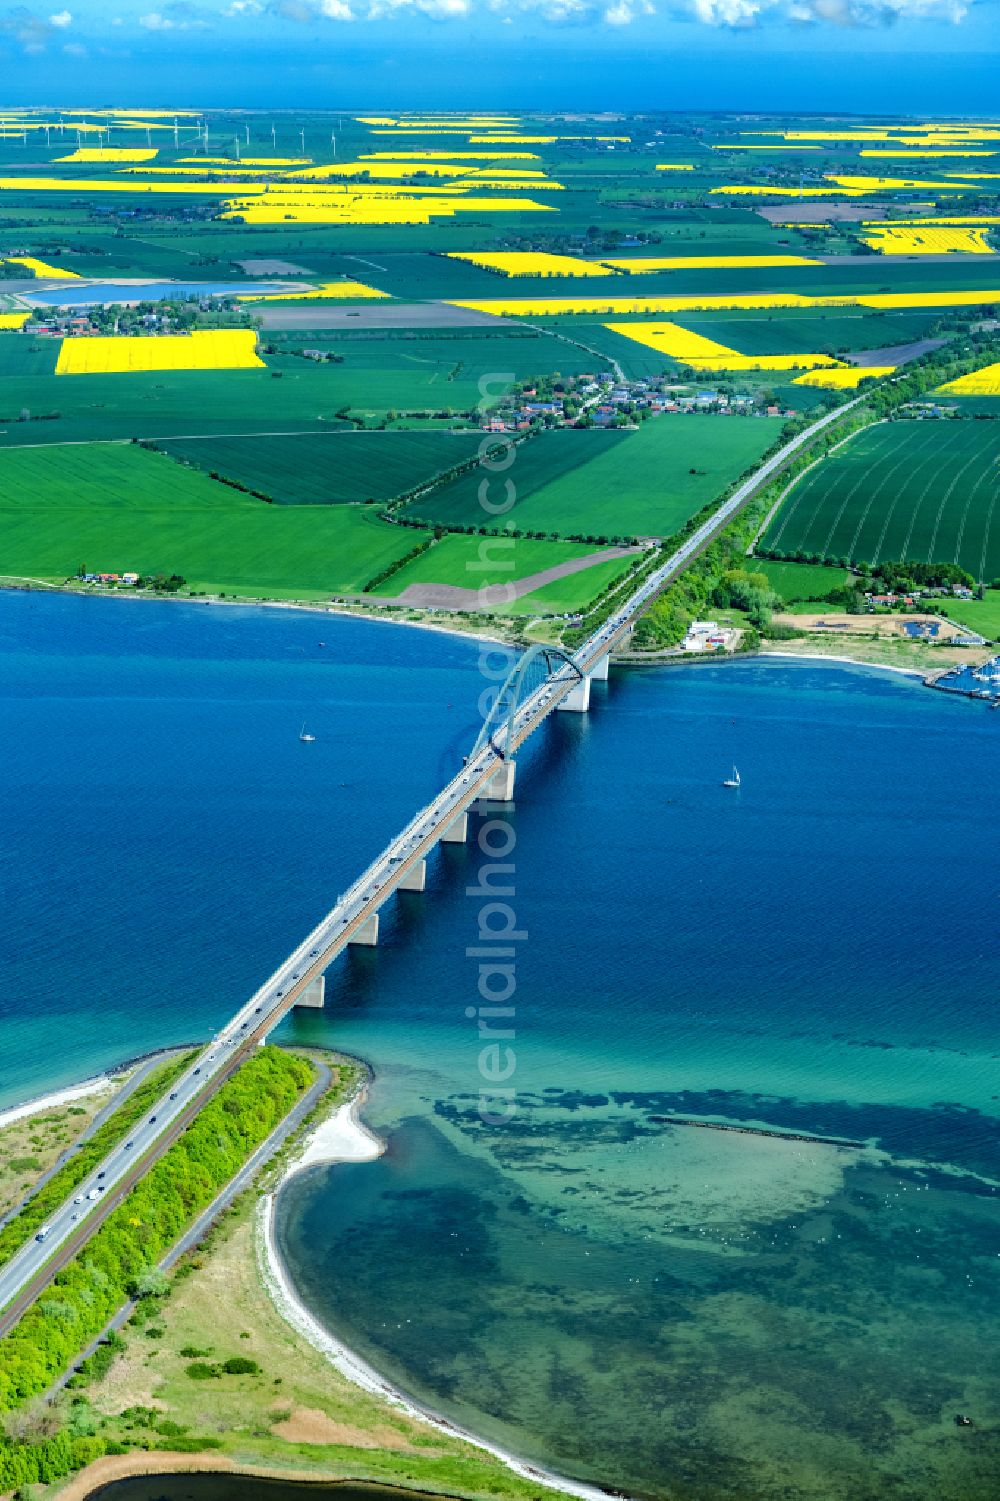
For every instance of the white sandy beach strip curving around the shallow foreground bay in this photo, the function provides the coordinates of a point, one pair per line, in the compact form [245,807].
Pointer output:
[346,1139]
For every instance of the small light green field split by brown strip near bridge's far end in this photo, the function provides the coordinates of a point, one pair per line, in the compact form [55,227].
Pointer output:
[487,562]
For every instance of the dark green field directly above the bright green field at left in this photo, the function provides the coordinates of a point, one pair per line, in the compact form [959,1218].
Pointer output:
[325,469]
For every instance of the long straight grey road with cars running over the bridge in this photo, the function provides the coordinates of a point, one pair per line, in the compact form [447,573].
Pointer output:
[34,1266]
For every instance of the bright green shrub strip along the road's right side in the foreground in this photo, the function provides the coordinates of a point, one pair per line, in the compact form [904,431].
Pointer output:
[86,1295]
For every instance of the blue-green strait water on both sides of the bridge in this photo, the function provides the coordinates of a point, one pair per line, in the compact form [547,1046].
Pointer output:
[664,1310]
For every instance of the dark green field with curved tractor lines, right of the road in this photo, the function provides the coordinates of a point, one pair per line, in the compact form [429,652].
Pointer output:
[915,492]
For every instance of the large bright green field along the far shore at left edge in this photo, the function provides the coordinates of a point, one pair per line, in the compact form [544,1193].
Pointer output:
[118,508]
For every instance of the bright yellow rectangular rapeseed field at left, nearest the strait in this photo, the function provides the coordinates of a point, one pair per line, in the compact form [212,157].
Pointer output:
[119,355]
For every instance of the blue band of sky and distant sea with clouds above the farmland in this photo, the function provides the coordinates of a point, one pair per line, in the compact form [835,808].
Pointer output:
[866,56]
